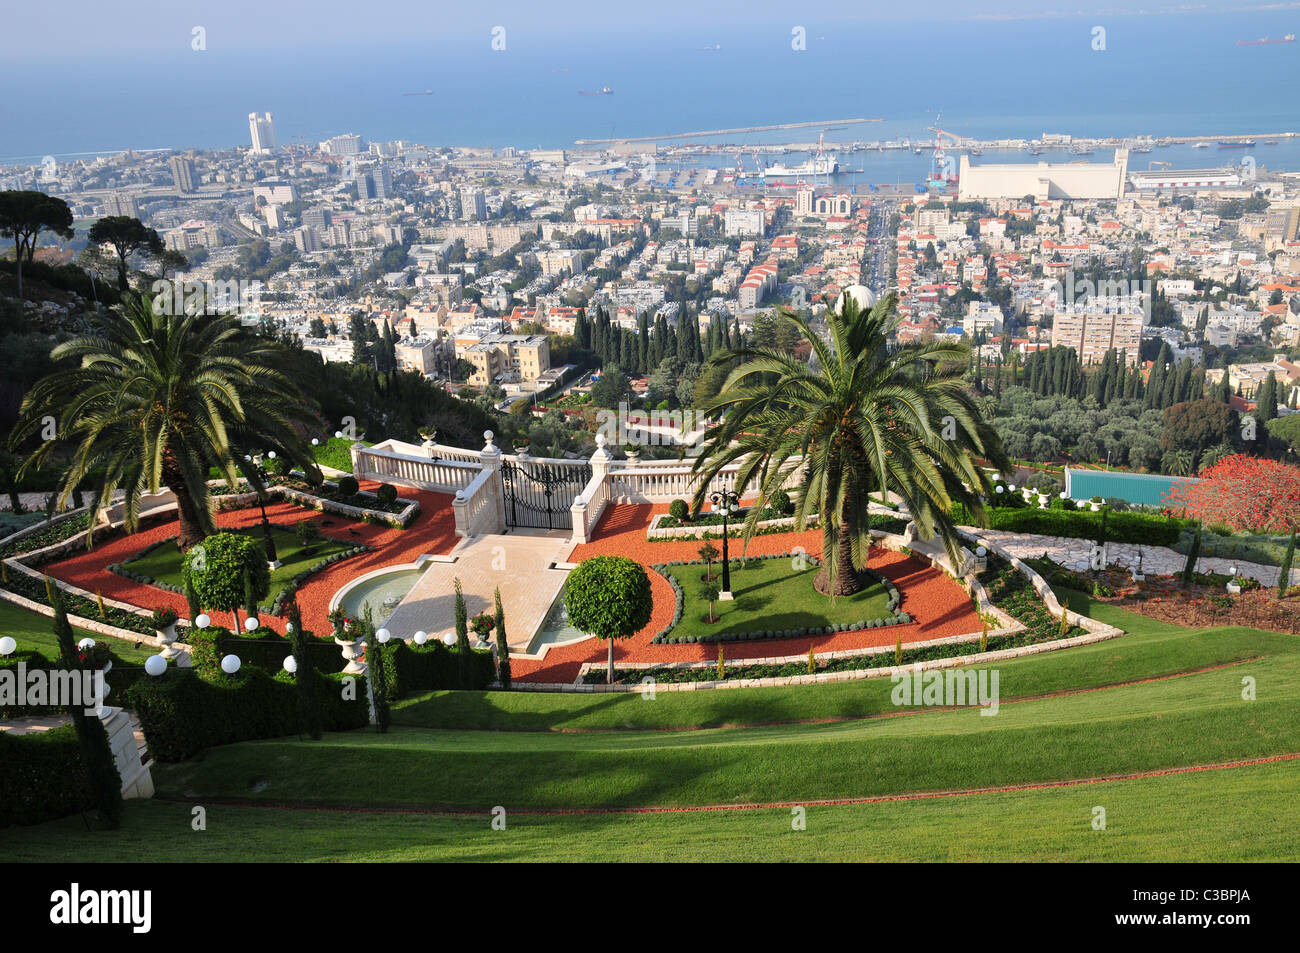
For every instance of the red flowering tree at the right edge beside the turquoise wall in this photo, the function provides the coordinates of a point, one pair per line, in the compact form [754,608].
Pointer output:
[1245,493]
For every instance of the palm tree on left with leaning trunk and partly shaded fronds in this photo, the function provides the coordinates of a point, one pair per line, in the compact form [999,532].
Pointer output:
[155,400]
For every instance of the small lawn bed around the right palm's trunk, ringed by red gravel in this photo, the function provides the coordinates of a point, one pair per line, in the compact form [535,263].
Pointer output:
[770,595]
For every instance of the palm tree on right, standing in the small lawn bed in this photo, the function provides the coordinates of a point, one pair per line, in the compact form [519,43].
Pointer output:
[861,418]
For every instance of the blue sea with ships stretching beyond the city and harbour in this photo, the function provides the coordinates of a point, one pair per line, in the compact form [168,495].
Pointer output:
[1090,76]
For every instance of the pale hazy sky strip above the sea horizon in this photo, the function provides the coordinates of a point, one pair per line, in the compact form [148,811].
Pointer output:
[49,31]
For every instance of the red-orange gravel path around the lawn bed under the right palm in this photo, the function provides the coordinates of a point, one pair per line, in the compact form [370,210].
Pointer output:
[938,605]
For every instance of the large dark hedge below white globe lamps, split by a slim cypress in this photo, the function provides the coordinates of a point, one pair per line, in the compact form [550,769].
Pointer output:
[187,711]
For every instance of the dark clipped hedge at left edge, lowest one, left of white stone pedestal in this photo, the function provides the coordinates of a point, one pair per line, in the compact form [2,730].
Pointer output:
[42,777]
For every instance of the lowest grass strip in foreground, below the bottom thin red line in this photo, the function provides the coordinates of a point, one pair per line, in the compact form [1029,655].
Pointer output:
[1238,815]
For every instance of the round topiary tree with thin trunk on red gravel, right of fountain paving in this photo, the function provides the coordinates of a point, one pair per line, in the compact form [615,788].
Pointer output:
[609,597]
